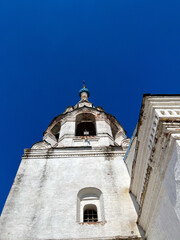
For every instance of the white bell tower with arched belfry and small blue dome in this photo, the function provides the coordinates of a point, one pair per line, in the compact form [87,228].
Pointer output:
[74,183]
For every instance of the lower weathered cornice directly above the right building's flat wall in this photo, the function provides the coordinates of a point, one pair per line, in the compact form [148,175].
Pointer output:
[166,135]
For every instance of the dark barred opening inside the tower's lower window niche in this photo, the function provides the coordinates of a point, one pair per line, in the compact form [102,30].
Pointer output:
[90,213]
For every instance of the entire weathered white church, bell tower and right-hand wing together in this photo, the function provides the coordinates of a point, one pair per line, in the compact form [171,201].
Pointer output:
[86,180]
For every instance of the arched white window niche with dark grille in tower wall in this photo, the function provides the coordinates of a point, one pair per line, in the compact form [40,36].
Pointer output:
[90,205]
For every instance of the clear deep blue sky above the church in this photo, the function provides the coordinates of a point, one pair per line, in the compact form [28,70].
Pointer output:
[121,48]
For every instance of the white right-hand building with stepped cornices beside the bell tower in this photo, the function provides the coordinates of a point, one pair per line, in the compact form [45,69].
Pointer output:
[153,161]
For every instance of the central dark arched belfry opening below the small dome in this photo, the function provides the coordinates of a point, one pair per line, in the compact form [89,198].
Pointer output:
[85,125]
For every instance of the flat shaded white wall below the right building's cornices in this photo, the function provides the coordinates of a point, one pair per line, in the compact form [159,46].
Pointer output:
[166,225]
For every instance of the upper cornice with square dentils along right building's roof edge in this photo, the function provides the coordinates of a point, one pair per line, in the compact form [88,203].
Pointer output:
[154,111]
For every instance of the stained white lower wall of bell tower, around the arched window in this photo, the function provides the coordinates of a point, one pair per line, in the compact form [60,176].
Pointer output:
[42,203]
